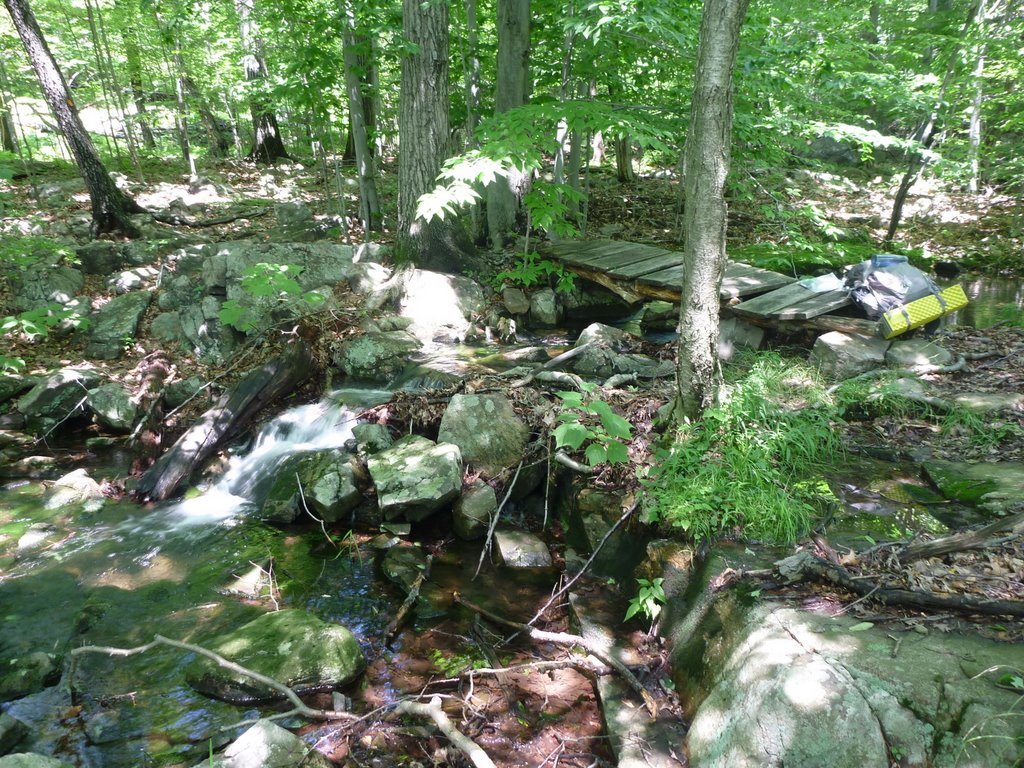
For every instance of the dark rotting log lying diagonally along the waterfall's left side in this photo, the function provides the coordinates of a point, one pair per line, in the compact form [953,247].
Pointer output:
[234,411]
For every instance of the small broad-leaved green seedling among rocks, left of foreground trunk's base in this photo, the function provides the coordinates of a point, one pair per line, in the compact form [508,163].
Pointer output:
[591,422]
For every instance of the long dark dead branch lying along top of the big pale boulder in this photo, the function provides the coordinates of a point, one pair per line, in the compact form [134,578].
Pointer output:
[805,567]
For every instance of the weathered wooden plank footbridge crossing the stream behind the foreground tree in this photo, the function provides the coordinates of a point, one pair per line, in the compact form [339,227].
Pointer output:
[638,272]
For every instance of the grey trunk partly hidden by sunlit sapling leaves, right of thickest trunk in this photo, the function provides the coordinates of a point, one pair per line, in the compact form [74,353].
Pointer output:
[505,195]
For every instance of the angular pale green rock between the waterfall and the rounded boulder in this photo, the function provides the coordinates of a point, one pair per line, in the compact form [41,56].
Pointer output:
[416,478]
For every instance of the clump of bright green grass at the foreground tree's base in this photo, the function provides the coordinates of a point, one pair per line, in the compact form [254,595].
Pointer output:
[753,462]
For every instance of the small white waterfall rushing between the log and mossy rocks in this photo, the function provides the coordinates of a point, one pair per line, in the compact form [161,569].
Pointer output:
[319,426]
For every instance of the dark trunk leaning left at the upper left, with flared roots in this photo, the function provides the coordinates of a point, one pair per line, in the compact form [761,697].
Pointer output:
[110,206]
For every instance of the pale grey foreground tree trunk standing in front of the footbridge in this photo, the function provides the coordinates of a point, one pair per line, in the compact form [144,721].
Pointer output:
[708,146]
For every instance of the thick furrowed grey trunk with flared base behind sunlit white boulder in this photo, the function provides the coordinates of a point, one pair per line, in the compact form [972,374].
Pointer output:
[423,131]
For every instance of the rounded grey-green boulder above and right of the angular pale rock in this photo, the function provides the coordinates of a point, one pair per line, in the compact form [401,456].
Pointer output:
[487,431]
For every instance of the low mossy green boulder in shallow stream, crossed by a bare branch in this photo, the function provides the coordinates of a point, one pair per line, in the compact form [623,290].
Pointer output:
[291,647]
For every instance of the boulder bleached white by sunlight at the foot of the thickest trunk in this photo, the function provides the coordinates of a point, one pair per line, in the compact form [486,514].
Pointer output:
[440,306]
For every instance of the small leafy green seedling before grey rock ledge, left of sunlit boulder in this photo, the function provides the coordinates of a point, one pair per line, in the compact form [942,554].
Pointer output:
[271,290]
